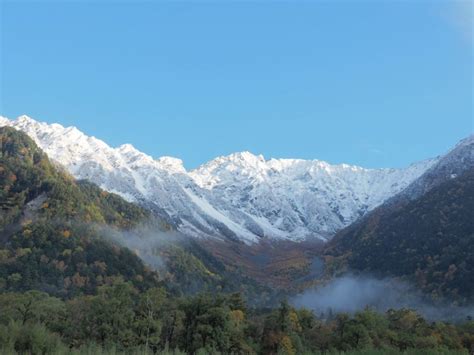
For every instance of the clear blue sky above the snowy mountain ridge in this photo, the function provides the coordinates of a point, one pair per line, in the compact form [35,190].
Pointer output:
[374,83]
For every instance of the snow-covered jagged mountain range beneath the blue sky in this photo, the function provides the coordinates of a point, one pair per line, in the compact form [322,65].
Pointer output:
[240,196]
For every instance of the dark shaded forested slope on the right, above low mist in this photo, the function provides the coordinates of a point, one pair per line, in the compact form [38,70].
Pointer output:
[429,239]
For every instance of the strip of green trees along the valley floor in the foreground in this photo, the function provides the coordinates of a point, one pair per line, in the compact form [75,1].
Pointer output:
[120,318]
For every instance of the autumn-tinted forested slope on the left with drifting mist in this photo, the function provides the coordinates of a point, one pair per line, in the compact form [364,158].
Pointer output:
[69,237]
